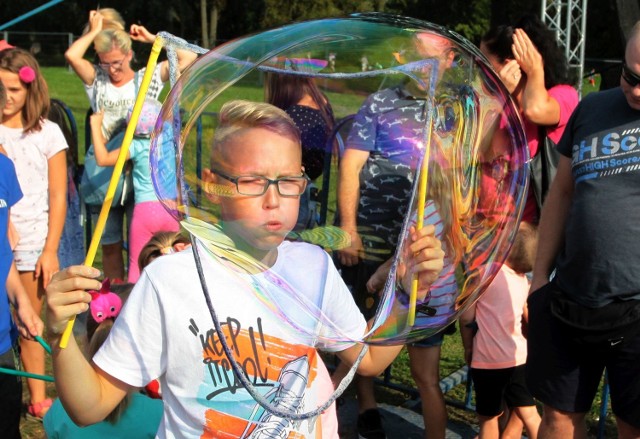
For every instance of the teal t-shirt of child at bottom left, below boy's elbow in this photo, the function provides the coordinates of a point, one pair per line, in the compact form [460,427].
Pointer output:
[140,420]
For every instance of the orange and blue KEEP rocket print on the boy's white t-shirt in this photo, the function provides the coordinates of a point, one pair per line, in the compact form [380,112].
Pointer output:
[282,372]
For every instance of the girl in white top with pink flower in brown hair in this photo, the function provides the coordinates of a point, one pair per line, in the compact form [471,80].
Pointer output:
[37,147]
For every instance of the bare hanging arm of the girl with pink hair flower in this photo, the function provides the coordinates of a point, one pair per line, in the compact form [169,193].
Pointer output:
[48,263]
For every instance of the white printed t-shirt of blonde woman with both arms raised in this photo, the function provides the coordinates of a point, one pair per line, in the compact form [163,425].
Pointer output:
[116,101]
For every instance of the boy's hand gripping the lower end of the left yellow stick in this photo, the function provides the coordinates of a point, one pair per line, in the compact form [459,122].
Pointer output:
[67,295]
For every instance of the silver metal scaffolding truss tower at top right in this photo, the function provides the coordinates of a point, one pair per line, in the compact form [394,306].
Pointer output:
[568,19]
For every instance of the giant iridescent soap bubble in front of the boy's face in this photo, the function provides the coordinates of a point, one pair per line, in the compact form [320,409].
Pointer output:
[426,103]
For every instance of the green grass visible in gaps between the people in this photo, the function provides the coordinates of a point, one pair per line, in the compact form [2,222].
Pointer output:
[64,85]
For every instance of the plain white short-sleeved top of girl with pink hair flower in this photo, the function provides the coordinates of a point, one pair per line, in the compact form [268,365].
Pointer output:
[30,154]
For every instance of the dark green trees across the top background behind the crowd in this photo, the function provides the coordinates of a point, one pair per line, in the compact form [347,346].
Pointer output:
[209,23]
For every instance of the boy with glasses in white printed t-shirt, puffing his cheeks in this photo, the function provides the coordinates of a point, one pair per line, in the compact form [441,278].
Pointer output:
[164,331]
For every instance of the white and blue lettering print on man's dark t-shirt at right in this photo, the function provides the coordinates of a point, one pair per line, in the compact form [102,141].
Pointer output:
[607,153]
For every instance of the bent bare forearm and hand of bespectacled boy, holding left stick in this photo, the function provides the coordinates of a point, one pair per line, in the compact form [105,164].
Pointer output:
[87,393]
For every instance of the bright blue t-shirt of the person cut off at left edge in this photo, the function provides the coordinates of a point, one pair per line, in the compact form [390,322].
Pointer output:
[10,193]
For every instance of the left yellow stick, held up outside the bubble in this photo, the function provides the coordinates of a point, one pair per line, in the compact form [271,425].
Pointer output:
[117,170]
